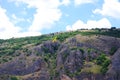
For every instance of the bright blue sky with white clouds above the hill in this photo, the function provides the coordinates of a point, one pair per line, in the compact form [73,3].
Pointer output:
[21,18]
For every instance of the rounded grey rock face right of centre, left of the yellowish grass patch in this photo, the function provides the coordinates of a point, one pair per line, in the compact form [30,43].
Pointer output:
[74,61]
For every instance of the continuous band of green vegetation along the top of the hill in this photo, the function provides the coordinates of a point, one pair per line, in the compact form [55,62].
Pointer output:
[18,43]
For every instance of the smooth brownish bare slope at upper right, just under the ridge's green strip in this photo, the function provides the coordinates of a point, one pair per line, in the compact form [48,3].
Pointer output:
[103,43]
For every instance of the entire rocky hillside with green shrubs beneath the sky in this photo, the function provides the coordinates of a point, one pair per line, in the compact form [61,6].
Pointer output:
[74,55]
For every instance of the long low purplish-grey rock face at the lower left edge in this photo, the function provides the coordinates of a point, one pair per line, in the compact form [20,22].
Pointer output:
[21,68]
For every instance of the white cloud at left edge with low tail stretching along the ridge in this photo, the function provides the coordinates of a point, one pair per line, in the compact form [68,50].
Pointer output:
[9,30]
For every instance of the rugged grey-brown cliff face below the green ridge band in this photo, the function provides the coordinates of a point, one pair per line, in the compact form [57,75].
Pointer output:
[77,58]
